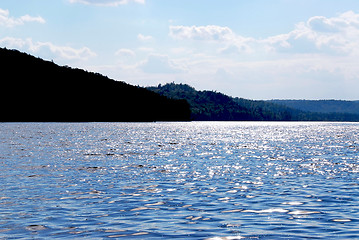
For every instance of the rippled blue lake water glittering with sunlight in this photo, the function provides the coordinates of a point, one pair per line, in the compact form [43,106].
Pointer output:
[196,180]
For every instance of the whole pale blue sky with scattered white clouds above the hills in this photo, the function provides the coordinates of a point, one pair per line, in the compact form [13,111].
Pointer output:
[255,49]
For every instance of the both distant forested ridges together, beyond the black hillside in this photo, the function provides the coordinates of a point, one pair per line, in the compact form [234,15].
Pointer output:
[215,106]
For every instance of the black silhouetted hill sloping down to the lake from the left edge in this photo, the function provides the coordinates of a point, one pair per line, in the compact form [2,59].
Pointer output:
[38,90]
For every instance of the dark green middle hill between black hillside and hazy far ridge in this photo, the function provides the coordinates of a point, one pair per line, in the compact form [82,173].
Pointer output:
[215,106]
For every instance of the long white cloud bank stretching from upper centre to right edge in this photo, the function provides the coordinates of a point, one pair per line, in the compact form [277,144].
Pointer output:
[319,35]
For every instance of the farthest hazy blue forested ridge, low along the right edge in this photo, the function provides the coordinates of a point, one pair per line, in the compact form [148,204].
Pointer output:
[322,106]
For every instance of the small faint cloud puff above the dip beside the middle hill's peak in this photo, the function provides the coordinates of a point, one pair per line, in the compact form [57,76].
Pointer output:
[160,64]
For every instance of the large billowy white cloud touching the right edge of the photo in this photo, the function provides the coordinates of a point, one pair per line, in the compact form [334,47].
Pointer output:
[337,35]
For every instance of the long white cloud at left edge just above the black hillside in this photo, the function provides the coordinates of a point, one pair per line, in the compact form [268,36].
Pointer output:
[48,49]
